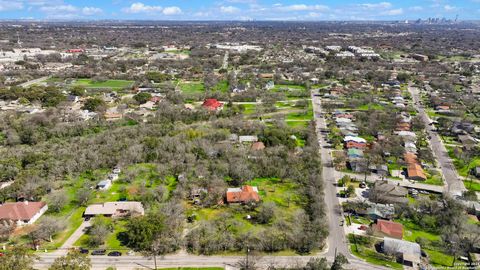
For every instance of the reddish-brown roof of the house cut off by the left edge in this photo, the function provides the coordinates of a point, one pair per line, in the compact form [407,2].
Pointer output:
[20,210]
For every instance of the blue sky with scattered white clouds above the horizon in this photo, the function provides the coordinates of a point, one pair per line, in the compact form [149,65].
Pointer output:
[312,10]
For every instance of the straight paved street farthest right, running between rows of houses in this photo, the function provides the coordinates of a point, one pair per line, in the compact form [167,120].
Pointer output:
[454,186]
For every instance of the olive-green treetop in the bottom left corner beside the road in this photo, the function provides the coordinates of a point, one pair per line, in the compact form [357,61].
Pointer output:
[18,258]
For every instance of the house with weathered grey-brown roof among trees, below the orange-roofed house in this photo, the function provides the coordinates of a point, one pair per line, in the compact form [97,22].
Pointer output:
[384,192]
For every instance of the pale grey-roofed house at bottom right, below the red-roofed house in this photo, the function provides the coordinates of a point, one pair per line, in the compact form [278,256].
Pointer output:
[407,253]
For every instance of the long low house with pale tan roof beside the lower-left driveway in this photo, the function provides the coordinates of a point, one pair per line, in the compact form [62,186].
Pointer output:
[114,209]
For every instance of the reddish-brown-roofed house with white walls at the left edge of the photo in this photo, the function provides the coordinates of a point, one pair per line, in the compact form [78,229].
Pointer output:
[22,213]
